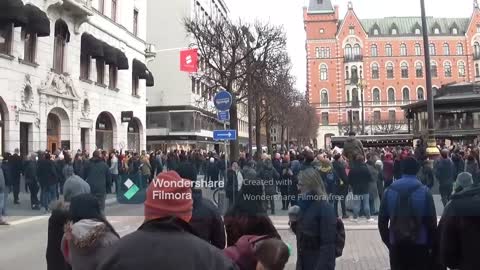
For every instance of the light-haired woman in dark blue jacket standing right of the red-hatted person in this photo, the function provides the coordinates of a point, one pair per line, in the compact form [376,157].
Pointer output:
[314,223]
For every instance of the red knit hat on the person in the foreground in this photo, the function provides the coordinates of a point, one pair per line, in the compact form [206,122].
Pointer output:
[169,195]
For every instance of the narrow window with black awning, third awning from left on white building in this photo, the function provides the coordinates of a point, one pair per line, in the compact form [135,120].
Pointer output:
[62,37]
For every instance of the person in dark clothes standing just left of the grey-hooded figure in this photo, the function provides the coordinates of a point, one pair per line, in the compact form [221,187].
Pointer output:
[48,179]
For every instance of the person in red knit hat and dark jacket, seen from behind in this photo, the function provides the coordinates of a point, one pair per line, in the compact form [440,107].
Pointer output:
[166,230]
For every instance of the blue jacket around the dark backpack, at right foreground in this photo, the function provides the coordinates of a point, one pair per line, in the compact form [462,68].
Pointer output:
[422,200]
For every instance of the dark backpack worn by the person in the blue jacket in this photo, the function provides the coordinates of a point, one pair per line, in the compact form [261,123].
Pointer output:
[406,222]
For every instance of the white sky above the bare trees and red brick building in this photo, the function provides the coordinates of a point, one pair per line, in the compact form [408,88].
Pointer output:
[289,14]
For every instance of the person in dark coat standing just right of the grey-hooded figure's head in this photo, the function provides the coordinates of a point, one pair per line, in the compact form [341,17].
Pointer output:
[98,176]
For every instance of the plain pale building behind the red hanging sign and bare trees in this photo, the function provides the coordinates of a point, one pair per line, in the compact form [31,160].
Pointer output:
[180,110]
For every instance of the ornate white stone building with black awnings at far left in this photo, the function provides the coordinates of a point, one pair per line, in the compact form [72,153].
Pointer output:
[68,69]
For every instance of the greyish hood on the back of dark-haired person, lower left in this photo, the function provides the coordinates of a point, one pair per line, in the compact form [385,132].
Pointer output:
[85,233]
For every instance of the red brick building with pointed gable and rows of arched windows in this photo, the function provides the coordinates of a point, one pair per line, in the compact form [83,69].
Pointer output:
[383,59]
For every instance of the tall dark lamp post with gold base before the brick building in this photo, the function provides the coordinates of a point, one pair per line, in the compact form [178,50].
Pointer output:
[432,149]
